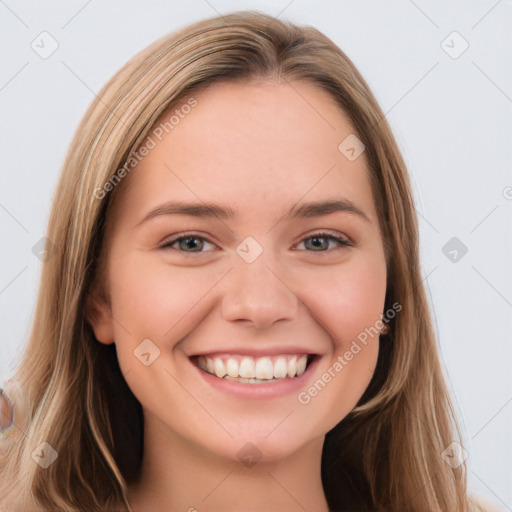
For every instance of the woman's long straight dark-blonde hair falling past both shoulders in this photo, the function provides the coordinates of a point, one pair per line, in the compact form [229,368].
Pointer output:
[385,455]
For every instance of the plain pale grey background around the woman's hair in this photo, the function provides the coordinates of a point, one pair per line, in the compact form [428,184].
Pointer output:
[452,118]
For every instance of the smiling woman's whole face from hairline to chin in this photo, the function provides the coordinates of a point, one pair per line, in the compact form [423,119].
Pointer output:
[235,320]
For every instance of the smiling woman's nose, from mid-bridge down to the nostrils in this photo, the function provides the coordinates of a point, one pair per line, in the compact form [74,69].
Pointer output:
[257,293]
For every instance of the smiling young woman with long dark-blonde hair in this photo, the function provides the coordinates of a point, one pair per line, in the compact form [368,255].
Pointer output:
[233,317]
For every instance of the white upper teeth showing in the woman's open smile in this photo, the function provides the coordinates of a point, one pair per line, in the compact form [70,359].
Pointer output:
[264,368]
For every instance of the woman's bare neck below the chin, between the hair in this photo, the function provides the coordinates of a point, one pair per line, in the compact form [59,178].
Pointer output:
[178,475]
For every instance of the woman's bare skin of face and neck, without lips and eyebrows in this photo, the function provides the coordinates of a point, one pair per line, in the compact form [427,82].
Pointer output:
[258,148]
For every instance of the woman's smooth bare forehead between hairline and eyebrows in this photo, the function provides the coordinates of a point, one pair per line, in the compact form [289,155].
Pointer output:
[251,145]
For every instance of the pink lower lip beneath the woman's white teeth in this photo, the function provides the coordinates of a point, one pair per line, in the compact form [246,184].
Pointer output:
[268,390]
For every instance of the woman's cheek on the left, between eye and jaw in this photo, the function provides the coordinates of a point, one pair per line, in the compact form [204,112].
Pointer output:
[163,304]
